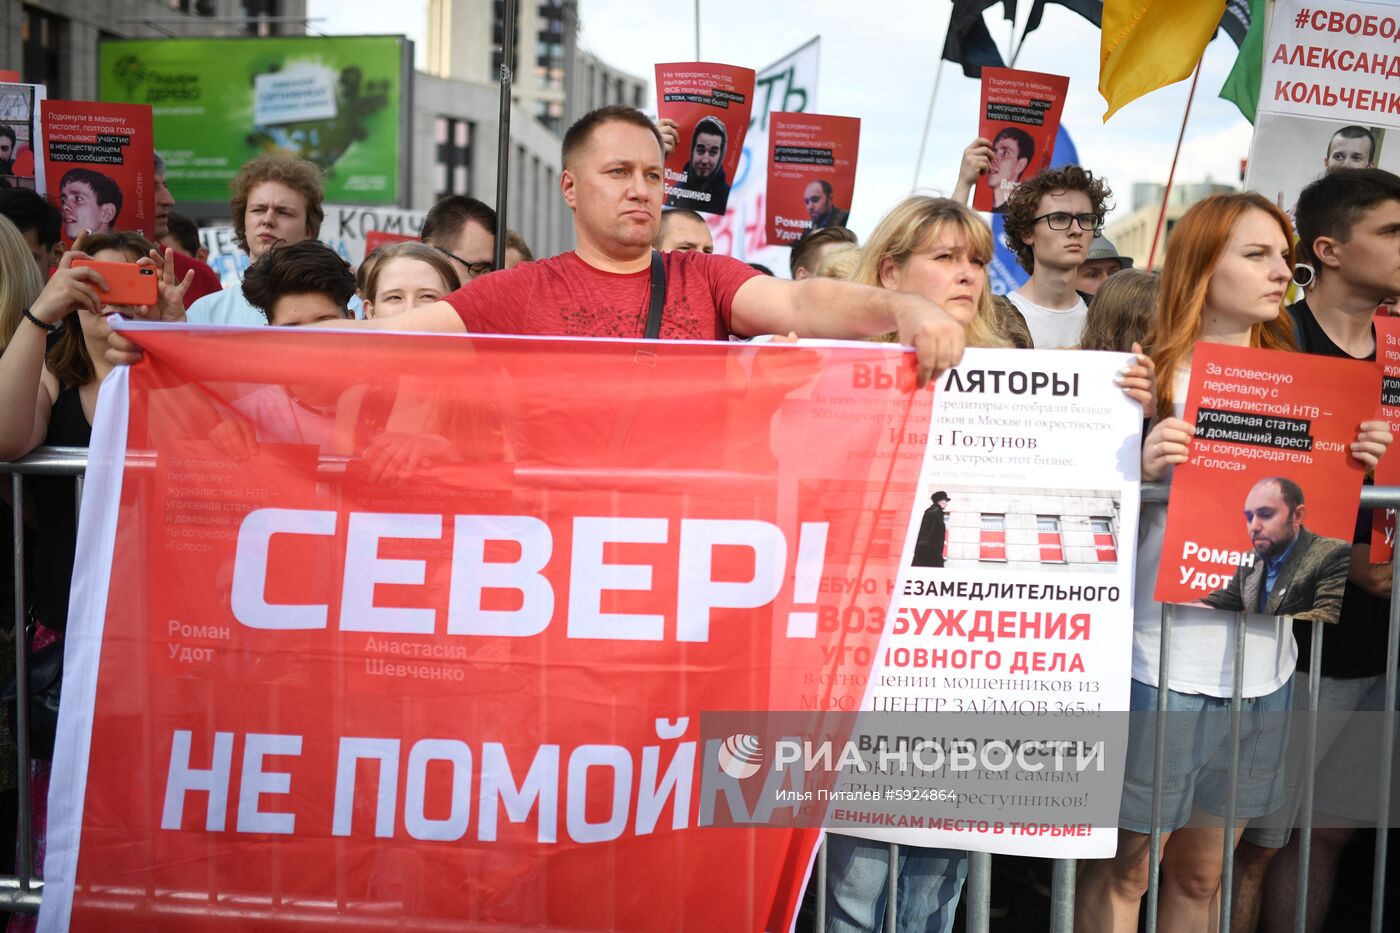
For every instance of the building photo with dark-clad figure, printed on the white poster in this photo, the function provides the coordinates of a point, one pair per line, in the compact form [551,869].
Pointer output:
[1014,530]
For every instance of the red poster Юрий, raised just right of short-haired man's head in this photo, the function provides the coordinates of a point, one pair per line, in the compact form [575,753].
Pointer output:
[712,106]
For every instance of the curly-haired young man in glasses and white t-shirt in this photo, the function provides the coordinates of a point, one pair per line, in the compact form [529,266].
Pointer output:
[1051,222]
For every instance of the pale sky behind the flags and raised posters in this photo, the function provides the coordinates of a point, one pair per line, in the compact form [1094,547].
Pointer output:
[878,62]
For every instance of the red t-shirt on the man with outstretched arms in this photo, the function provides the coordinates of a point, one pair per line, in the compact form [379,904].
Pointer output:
[568,298]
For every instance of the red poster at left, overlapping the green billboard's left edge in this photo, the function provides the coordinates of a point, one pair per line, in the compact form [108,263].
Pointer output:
[100,166]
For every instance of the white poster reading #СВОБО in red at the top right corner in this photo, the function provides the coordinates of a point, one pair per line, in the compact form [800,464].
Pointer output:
[1329,97]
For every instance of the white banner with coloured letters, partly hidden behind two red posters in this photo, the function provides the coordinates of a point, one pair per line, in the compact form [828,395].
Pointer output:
[786,86]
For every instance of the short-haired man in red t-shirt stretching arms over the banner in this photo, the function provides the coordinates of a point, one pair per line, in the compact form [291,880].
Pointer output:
[612,183]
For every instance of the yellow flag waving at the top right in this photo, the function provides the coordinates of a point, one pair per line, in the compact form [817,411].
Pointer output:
[1150,44]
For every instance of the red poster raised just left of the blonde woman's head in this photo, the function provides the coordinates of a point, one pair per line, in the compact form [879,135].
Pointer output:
[811,173]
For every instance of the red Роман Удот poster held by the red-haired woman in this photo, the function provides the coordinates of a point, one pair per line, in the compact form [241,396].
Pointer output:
[1272,487]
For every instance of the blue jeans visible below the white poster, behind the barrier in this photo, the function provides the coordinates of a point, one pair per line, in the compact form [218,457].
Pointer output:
[926,897]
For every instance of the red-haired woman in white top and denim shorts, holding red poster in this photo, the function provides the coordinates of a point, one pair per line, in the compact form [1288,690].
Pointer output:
[1224,282]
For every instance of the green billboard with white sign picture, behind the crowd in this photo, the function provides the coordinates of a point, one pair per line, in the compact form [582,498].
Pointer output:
[339,102]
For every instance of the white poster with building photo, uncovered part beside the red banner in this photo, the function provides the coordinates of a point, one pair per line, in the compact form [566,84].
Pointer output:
[1013,626]
